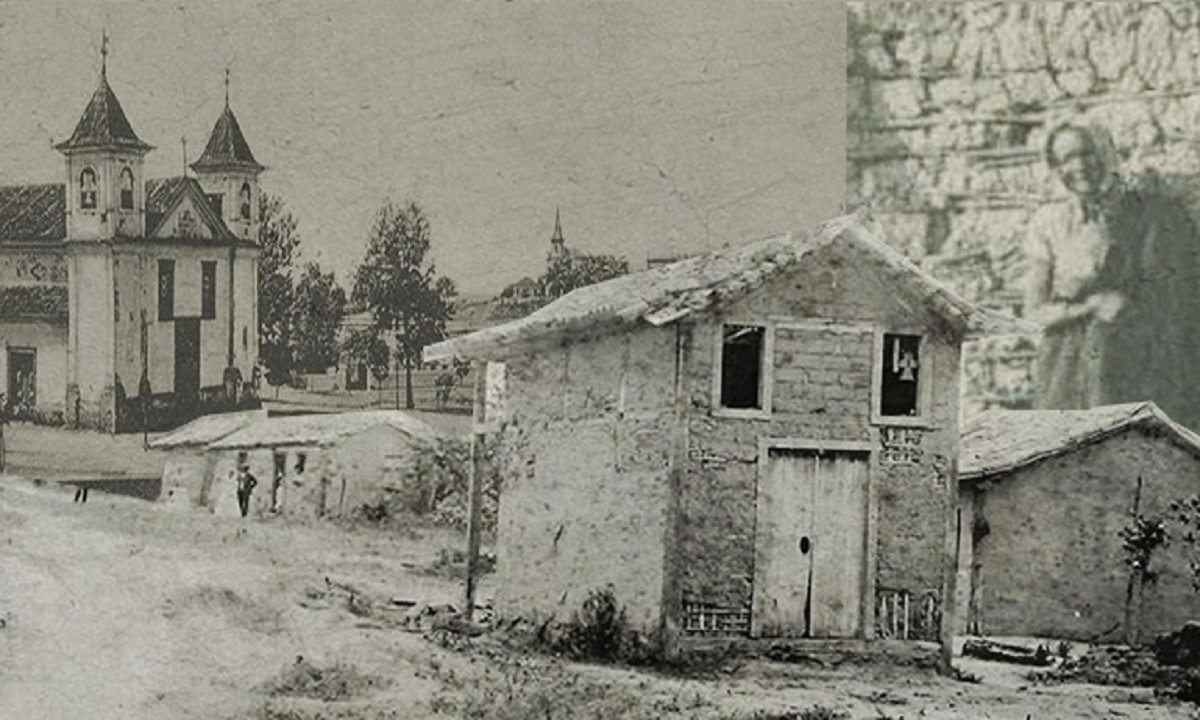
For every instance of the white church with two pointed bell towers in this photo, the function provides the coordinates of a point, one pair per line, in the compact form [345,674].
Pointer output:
[129,302]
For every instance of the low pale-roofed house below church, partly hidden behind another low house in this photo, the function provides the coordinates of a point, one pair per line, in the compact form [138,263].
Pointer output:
[187,471]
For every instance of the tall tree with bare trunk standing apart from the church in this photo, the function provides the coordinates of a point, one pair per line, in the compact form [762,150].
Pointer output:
[399,284]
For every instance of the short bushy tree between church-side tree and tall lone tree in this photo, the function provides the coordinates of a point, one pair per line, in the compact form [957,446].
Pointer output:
[317,309]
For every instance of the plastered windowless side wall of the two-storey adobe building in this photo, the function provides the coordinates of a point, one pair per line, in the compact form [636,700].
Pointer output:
[585,465]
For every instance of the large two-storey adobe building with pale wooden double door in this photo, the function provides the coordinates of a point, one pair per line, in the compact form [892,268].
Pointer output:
[759,442]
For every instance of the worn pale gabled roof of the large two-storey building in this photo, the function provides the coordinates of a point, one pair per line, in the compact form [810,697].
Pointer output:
[668,293]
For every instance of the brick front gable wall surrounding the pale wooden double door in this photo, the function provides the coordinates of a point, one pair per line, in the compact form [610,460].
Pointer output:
[823,391]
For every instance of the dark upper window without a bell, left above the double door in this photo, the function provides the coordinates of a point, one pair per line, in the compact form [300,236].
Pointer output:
[743,373]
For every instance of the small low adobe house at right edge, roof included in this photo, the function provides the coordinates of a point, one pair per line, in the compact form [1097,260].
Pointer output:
[1043,499]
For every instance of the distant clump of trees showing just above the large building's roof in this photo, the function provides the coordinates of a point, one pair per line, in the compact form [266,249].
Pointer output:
[566,271]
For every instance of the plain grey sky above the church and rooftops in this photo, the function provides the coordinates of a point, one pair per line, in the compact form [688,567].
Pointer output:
[657,128]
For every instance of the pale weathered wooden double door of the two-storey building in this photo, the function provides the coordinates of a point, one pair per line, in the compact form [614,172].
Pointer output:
[811,545]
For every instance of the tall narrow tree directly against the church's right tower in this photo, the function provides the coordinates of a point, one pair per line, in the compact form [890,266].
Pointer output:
[279,242]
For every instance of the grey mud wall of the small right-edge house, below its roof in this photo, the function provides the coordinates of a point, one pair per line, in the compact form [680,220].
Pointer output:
[1053,565]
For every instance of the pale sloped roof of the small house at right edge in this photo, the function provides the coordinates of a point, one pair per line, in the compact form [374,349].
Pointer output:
[998,442]
